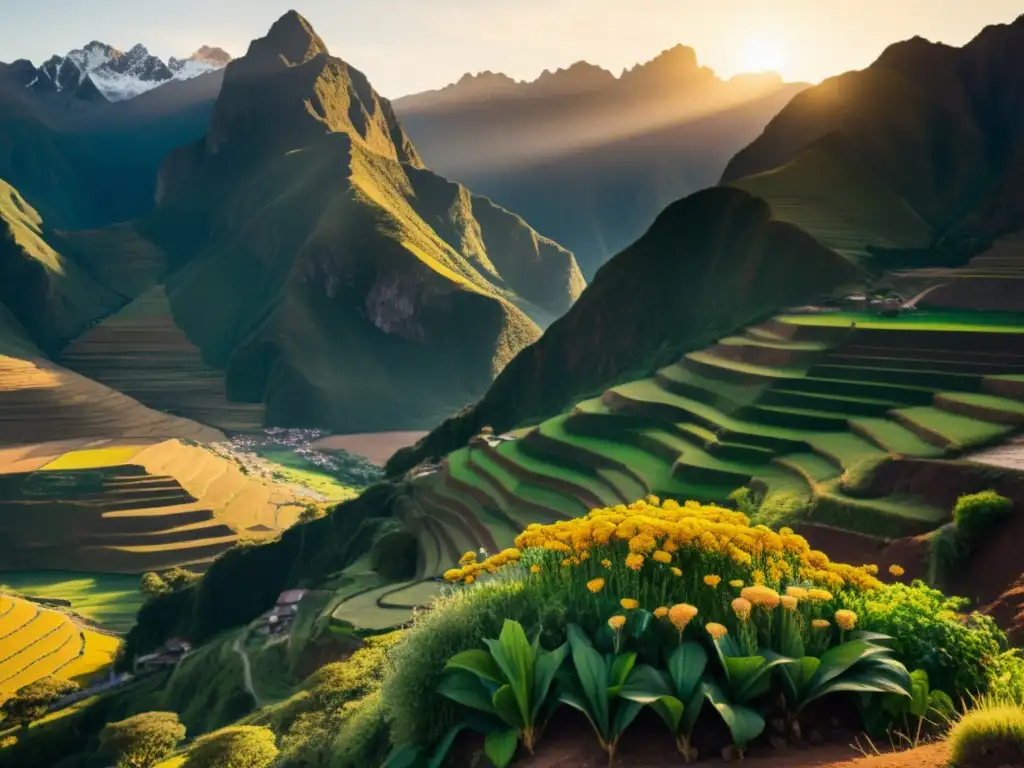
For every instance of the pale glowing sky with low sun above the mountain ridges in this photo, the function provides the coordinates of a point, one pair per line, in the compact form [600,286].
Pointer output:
[406,47]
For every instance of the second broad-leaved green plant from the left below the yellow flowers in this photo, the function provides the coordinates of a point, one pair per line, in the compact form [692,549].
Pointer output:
[595,689]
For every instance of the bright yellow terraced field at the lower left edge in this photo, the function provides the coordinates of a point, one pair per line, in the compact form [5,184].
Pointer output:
[36,643]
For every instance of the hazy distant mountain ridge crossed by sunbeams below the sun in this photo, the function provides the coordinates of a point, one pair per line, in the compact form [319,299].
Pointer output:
[589,158]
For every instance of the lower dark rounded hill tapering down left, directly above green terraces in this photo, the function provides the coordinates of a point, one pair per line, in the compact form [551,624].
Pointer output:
[710,264]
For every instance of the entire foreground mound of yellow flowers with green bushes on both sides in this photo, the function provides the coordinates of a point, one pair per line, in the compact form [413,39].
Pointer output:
[635,580]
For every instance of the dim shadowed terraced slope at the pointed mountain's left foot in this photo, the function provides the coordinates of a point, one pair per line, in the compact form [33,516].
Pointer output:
[141,352]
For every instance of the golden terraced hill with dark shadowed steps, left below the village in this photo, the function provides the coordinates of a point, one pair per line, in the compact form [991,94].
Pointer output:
[175,504]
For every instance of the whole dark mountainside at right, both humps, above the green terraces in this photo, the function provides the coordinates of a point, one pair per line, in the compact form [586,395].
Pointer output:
[916,161]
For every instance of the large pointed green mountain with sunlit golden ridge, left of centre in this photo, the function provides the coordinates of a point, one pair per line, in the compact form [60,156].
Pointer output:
[315,262]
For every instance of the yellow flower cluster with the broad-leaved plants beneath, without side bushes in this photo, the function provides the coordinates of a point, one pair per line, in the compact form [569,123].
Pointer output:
[681,608]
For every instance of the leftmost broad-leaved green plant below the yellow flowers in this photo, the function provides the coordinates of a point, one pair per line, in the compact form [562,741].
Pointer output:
[511,682]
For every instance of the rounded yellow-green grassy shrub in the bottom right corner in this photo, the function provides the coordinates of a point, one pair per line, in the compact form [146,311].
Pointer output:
[992,734]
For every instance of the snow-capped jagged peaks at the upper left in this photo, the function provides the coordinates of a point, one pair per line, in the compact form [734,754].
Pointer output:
[120,76]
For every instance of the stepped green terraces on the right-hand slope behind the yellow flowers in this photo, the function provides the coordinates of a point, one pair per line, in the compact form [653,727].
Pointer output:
[790,408]
